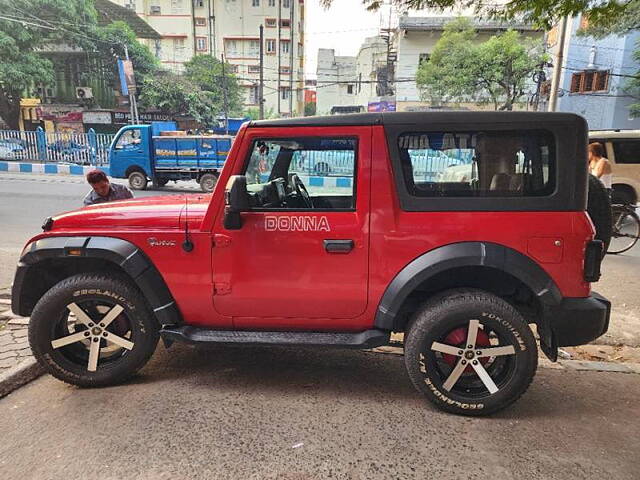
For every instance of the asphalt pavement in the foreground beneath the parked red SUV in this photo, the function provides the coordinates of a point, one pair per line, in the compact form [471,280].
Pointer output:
[294,414]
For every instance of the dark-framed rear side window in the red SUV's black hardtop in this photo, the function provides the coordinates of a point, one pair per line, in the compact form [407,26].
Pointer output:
[478,164]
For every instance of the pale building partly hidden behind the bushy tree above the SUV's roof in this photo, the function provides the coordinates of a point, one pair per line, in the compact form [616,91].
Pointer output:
[416,39]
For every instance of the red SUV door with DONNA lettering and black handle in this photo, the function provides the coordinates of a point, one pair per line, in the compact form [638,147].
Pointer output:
[291,265]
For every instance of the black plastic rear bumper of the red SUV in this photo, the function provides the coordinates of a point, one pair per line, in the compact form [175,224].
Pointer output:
[576,321]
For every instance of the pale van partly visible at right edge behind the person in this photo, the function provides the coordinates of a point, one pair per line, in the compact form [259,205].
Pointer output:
[623,151]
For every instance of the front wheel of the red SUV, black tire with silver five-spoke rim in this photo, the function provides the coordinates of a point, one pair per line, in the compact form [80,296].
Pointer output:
[96,296]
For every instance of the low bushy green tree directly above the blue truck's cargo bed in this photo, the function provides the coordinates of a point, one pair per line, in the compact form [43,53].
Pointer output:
[175,94]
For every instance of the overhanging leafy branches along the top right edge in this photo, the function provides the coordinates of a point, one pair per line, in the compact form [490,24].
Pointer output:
[544,13]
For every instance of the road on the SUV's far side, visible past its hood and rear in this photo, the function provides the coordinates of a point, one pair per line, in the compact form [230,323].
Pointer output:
[25,200]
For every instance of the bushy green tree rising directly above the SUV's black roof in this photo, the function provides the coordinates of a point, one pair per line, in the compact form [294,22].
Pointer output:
[461,69]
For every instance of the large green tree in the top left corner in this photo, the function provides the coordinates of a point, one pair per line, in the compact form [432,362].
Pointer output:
[27,26]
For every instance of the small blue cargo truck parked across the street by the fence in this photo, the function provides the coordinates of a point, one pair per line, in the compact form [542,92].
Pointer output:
[141,154]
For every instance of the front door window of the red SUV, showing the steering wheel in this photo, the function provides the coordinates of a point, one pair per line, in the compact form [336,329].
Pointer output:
[302,173]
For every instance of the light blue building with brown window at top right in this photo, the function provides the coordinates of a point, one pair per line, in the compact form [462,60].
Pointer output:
[594,74]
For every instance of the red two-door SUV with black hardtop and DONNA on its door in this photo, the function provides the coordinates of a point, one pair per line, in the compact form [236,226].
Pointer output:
[460,230]
